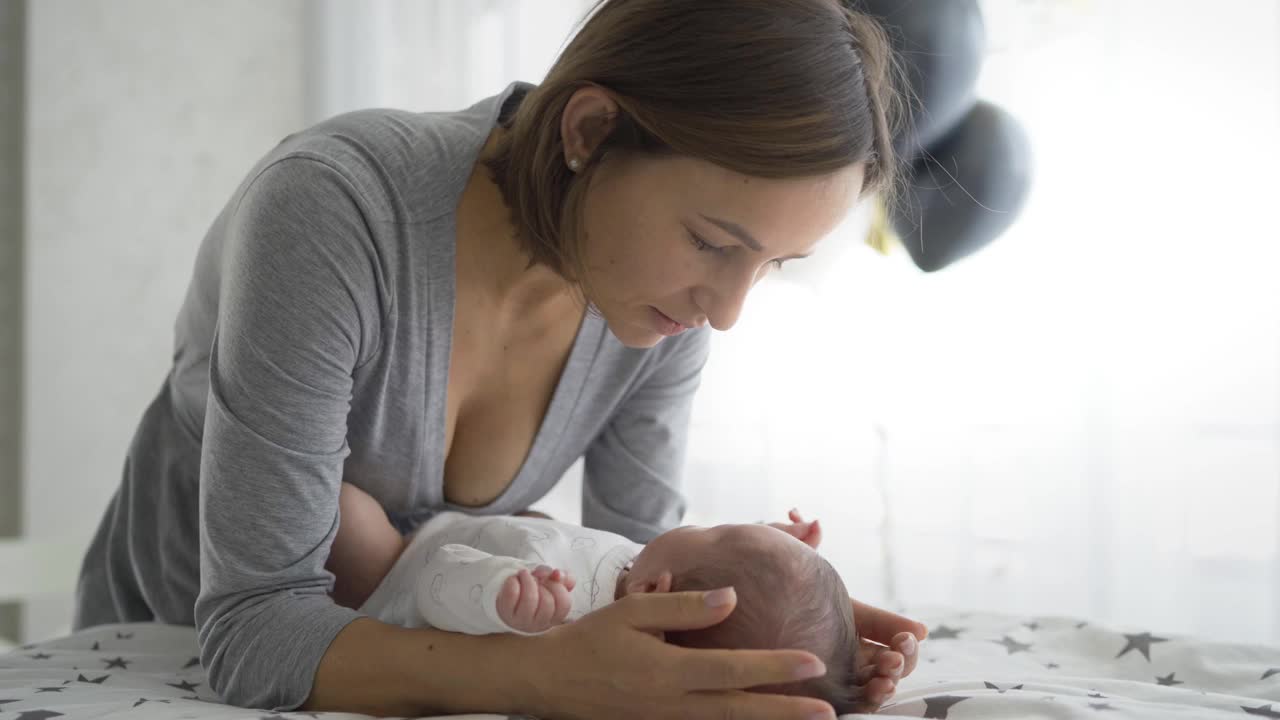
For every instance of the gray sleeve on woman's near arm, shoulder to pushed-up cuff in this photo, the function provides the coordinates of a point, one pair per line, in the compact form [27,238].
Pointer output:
[299,311]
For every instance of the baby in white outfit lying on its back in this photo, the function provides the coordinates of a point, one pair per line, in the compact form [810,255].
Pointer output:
[527,575]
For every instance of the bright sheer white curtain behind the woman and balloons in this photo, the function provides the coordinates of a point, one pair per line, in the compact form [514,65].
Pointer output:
[1084,420]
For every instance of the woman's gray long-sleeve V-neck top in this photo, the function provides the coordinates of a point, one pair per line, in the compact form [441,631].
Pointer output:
[313,348]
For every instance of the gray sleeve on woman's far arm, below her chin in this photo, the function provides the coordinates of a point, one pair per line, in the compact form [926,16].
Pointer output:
[632,479]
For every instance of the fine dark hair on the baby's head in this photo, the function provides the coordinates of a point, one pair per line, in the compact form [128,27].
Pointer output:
[783,604]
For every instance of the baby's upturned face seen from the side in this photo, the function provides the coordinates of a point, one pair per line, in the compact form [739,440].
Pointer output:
[684,548]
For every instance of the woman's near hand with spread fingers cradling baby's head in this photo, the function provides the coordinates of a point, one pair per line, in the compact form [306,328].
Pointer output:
[614,663]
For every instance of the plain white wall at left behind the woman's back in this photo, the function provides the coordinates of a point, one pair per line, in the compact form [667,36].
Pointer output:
[143,117]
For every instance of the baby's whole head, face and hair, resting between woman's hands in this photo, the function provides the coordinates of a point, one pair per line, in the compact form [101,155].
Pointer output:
[788,598]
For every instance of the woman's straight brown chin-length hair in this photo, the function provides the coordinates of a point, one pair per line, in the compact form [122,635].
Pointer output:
[771,89]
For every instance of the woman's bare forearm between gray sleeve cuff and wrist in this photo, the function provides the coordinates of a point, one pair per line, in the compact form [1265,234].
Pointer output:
[381,669]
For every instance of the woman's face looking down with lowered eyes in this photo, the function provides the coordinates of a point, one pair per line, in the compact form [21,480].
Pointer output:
[685,239]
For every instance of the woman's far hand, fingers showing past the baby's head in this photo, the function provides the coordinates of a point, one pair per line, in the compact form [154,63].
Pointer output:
[885,666]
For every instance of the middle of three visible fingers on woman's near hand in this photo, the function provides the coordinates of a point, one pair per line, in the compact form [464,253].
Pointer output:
[738,669]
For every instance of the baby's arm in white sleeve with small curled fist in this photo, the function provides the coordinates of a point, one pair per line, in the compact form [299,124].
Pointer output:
[469,591]
